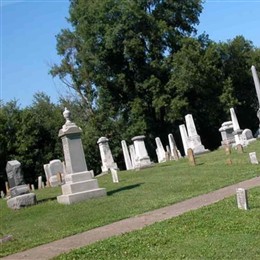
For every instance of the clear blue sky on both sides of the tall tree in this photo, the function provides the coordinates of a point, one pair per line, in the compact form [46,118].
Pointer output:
[28,44]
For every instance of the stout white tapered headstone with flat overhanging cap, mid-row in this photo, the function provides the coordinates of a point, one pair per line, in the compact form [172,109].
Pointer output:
[142,158]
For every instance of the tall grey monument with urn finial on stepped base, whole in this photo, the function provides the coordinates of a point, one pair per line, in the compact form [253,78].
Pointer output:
[79,184]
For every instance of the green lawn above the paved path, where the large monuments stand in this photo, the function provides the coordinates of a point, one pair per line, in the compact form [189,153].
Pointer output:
[137,192]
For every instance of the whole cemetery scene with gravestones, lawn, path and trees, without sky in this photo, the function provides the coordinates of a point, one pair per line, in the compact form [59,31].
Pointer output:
[155,157]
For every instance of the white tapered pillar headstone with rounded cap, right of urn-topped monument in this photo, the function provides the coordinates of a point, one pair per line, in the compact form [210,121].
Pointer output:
[106,155]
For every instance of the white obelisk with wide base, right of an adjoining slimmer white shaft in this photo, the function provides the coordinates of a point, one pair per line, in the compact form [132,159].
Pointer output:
[194,141]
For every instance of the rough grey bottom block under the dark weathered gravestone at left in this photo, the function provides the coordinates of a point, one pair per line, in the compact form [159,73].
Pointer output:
[22,201]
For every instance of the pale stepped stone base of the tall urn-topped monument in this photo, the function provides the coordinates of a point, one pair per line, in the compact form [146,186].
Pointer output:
[78,187]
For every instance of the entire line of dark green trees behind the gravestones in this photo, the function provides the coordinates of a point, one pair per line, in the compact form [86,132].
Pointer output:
[138,67]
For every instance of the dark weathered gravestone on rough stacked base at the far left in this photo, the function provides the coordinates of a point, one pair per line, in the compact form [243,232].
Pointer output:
[20,193]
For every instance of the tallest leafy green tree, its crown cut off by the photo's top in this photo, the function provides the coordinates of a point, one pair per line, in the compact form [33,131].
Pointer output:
[117,58]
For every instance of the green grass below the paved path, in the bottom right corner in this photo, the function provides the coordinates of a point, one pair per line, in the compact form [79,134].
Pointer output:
[219,231]
